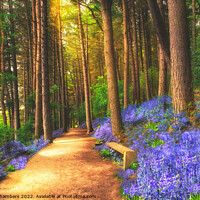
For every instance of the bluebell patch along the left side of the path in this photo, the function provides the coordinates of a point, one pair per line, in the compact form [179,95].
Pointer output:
[17,155]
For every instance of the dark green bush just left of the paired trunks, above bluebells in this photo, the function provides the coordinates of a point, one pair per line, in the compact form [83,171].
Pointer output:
[26,133]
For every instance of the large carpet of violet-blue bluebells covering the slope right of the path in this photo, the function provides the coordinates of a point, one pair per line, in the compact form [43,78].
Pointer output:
[170,170]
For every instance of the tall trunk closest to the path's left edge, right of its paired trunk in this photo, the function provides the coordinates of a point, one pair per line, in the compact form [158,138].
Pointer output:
[45,73]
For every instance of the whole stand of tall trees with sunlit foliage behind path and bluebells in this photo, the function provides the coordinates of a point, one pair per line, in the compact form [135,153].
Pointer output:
[132,50]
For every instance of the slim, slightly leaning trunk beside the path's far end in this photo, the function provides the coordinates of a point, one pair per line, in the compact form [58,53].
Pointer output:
[86,87]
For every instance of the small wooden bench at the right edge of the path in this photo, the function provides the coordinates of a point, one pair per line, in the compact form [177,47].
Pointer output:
[129,154]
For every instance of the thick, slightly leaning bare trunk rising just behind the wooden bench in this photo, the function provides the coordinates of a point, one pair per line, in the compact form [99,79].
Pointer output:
[113,94]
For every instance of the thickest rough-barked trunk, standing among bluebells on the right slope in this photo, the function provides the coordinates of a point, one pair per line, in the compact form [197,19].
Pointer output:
[182,90]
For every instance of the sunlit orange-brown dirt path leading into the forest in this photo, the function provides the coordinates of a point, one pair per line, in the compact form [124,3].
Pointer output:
[69,167]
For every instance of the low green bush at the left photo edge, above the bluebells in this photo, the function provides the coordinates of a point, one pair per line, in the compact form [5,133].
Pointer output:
[6,134]
